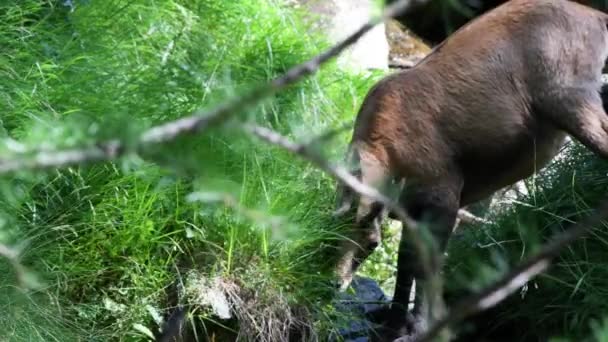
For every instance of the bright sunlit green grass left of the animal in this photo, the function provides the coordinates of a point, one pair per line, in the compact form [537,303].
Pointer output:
[106,241]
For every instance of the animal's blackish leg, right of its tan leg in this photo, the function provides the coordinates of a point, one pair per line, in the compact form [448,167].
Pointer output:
[436,208]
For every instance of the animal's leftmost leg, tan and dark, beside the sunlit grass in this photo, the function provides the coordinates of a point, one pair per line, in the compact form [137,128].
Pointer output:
[366,234]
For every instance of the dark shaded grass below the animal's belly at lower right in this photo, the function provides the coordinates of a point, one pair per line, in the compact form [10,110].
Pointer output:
[569,300]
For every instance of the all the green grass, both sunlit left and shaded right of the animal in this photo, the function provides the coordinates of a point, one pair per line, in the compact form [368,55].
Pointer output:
[103,245]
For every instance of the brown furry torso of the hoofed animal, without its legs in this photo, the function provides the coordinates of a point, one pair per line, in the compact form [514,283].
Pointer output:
[469,106]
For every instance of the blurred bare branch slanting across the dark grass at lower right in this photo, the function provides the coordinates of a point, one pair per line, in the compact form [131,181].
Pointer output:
[517,277]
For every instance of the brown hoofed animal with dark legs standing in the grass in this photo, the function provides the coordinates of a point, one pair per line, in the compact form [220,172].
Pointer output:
[489,106]
